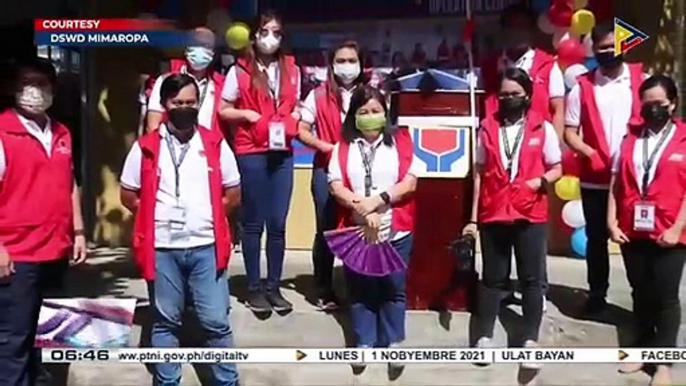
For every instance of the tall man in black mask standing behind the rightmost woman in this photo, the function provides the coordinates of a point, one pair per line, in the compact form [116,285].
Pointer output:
[599,108]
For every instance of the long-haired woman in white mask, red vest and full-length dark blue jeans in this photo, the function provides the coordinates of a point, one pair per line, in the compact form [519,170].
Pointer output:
[261,94]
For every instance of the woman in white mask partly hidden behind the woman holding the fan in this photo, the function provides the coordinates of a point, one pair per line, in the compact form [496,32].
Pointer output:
[325,109]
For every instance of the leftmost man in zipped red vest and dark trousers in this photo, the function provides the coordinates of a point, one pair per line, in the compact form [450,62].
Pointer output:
[40,218]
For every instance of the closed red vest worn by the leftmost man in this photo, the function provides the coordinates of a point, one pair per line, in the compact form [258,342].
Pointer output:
[36,213]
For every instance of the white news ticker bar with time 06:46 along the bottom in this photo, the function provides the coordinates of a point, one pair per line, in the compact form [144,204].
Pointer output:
[203,355]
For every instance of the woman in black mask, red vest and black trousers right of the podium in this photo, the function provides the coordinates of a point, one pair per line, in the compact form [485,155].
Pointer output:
[517,157]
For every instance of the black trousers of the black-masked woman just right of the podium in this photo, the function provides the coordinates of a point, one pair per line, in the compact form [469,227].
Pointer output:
[529,244]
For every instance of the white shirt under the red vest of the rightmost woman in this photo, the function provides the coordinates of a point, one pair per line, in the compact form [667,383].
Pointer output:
[652,139]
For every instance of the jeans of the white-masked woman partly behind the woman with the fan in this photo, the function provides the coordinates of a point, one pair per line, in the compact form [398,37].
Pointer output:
[325,212]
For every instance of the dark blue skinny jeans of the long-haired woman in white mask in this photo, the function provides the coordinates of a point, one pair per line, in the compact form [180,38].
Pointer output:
[267,186]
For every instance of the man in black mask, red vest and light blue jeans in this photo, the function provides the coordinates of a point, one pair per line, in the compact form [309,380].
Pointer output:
[181,181]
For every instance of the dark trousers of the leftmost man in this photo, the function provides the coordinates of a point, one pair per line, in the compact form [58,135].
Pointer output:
[21,296]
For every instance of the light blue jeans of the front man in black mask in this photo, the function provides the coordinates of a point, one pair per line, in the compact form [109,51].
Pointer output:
[194,269]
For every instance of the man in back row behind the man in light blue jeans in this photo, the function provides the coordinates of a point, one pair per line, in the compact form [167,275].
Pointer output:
[198,58]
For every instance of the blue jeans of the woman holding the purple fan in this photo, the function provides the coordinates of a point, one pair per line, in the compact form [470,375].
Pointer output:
[378,305]
